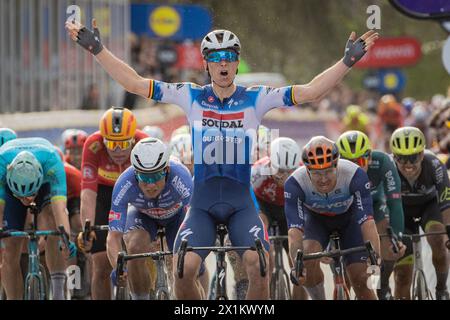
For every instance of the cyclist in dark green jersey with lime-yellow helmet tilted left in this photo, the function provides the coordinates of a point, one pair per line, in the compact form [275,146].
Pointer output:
[385,188]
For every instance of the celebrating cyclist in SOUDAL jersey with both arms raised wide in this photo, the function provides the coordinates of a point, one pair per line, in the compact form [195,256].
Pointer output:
[224,118]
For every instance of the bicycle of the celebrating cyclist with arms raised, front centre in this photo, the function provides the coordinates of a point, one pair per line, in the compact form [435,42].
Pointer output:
[221,265]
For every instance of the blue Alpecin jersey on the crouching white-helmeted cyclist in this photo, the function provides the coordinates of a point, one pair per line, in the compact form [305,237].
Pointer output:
[173,199]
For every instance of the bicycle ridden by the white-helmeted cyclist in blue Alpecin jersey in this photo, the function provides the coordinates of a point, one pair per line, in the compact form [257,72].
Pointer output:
[163,289]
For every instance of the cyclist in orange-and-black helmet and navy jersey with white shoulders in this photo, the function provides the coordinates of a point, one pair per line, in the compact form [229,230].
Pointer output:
[325,195]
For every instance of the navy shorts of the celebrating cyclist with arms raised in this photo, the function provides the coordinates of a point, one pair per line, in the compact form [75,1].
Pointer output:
[221,200]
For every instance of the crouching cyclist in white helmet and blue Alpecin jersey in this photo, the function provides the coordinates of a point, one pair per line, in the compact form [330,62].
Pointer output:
[153,192]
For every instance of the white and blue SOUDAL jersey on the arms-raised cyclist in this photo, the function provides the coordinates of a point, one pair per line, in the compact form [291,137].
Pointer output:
[222,132]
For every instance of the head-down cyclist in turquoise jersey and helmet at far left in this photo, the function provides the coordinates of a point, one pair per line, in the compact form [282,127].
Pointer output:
[31,171]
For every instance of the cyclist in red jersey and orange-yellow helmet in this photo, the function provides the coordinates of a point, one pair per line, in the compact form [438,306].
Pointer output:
[106,154]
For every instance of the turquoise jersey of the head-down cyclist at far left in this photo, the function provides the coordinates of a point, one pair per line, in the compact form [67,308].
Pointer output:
[47,156]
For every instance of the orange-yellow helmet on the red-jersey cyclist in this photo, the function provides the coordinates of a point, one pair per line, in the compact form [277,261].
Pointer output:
[118,124]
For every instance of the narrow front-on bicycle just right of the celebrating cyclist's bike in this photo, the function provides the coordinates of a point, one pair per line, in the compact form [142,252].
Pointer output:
[279,283]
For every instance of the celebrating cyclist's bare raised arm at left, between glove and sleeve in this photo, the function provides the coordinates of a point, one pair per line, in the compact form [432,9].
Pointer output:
[126,76]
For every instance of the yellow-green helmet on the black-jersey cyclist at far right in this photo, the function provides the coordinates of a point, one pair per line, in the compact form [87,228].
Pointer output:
[407,141]
